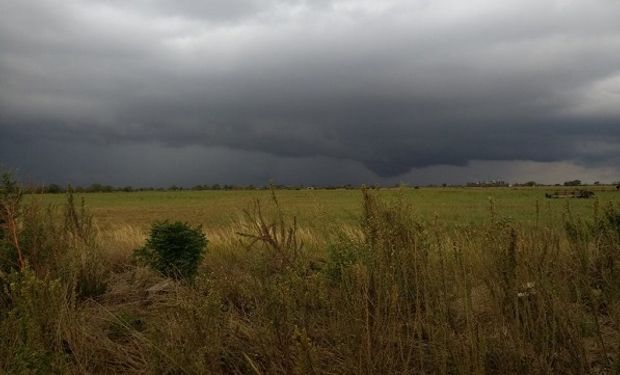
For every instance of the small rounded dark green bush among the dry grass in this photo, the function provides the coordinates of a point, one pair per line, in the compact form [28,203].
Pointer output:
[174,249]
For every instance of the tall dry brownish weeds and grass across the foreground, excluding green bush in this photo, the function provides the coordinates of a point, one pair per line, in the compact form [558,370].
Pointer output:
[392,292]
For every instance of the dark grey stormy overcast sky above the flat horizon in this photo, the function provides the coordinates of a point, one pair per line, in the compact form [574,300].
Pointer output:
[158,92]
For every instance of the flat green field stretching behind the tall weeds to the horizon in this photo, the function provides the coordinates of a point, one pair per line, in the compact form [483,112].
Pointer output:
[318,208]
